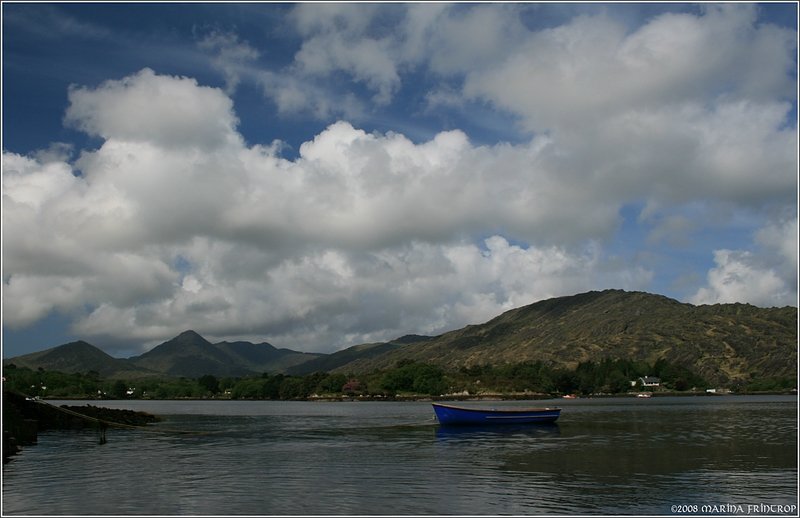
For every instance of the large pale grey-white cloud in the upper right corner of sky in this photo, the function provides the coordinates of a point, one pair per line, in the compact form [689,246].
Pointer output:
[578,74]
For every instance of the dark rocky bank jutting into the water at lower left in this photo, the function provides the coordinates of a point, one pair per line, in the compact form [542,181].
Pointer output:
[25,417]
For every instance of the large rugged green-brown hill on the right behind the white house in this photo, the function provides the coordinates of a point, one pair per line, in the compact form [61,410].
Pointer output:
[723,342]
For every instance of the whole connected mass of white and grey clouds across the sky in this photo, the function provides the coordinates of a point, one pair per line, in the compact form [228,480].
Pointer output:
[174,222]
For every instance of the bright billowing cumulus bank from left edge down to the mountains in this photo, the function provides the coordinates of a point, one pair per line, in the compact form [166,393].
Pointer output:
[362,236]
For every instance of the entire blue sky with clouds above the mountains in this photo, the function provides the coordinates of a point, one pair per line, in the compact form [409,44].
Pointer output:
[323,175]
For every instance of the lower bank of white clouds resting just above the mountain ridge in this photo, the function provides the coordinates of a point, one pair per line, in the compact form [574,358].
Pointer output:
[333,297]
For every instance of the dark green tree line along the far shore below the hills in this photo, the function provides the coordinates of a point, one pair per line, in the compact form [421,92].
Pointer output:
[407,377]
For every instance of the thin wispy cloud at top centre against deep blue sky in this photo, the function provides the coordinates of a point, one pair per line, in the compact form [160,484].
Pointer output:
[372,46]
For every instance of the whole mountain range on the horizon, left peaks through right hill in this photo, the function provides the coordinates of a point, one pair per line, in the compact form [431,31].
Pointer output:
[721,342]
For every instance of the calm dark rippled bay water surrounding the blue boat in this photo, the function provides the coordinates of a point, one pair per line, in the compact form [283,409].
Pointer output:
[605,456]
